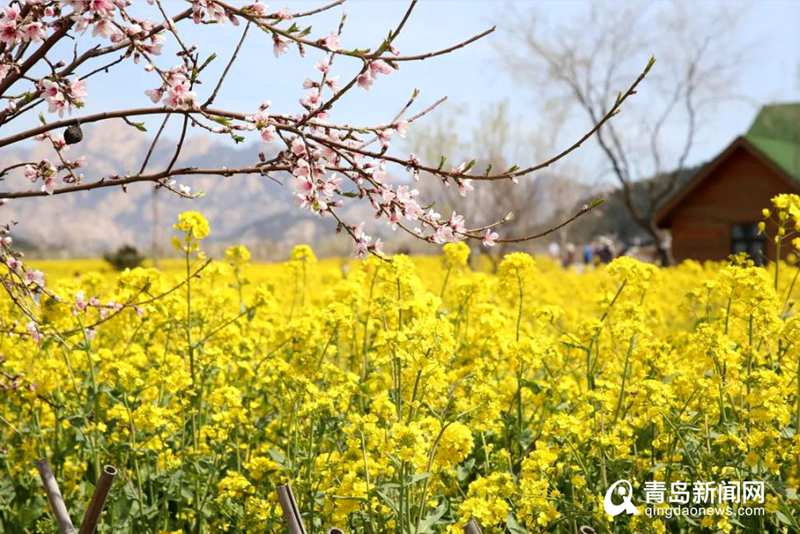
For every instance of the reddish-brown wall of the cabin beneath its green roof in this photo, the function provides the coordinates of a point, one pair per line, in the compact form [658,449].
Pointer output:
[735,192]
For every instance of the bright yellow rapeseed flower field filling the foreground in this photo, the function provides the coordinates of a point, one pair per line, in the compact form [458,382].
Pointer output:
[403,395]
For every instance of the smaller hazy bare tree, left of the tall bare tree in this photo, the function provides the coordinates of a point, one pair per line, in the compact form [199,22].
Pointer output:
[496,140]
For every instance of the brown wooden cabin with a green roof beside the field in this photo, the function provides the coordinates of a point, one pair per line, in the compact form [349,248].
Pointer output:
[716,213]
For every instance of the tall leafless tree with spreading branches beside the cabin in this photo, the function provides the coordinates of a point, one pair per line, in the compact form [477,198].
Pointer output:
[585,62]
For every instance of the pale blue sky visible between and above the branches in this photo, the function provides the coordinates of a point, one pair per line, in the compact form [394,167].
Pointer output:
[471,78]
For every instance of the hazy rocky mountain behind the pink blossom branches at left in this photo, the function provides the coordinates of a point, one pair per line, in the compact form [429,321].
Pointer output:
[241,209]
